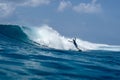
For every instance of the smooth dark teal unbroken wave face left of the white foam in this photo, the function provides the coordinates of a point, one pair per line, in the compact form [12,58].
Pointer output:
[14,32]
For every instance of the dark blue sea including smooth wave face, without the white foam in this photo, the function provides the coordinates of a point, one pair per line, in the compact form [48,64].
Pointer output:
[21,59]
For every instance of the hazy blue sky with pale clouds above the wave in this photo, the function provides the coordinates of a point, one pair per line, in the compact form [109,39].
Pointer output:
[91,20]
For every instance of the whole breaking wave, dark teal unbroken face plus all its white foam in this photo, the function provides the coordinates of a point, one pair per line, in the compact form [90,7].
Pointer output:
[45,35]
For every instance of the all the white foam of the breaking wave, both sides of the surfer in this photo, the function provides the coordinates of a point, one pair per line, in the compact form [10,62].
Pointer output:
[45,35]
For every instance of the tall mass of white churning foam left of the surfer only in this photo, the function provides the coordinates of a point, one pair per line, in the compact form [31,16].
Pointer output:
[47,36]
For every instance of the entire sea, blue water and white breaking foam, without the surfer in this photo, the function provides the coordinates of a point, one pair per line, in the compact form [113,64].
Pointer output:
[41,53]
